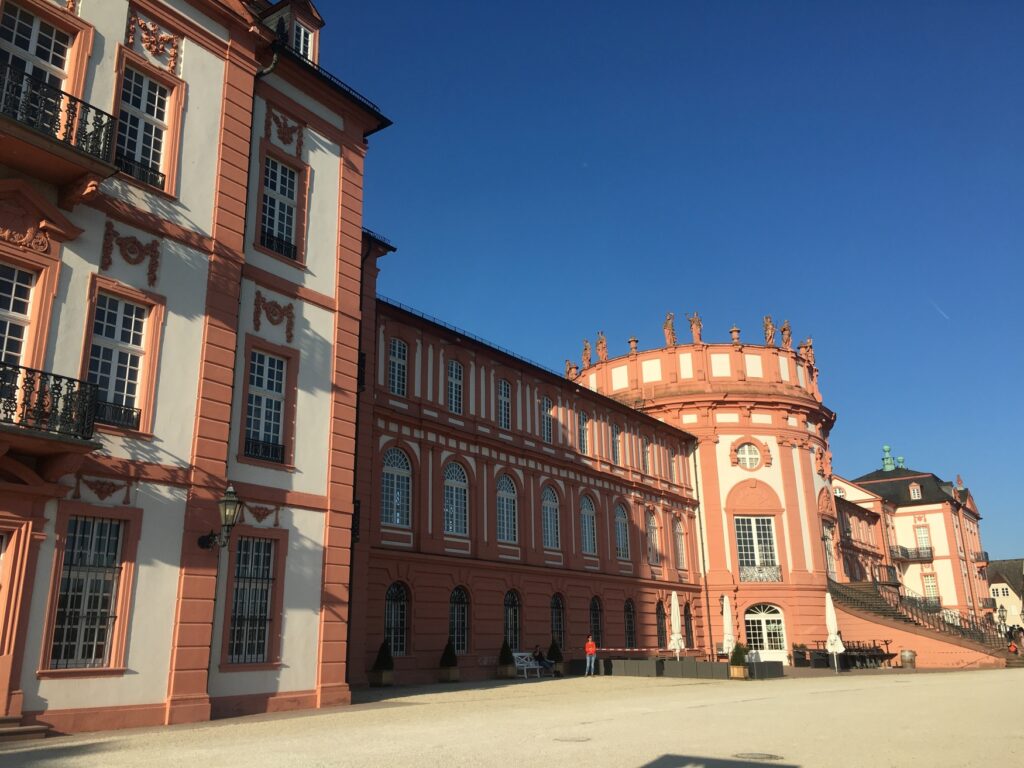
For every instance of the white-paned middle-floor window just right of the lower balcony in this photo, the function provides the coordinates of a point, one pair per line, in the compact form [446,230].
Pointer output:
[116,359]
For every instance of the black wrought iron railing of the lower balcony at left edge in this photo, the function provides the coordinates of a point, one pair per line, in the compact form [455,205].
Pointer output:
[46,402]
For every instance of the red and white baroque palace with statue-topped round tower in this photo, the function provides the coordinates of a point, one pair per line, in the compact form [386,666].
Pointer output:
[190,327]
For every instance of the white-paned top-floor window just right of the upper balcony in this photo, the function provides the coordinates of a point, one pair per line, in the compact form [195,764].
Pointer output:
[143,126]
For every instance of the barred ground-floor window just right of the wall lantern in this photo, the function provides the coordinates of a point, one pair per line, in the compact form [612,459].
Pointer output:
[252,594]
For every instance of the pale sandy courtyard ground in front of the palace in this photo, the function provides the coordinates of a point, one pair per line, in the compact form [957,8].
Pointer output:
[882,719]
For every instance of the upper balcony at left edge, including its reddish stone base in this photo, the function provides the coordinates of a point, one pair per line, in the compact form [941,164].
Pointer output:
[51,135]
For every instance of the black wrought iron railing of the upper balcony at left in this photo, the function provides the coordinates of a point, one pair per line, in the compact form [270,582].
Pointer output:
[50,111]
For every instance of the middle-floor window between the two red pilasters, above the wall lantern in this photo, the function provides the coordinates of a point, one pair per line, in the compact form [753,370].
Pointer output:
[266,408]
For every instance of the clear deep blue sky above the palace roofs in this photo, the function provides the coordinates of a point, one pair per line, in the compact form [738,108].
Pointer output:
[561,168]
